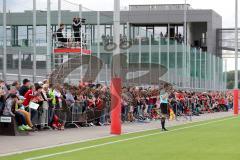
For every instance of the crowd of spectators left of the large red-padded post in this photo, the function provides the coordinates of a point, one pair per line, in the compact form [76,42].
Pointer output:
[52,102]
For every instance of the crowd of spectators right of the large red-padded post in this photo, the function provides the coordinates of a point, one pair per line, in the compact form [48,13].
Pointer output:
[145,103]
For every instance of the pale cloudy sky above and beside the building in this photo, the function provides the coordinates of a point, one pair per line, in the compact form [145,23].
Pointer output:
[224,7]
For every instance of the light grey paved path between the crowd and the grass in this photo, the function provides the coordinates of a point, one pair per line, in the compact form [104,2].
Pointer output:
[44,139]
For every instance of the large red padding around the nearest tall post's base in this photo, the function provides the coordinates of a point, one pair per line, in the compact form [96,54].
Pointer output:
[116,106]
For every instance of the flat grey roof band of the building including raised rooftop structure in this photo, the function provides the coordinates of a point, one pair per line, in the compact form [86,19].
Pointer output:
[137,14]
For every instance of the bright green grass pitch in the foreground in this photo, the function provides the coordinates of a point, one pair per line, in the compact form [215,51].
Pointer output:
[209,140]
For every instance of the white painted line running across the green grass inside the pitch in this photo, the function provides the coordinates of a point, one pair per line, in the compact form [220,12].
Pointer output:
[123,140]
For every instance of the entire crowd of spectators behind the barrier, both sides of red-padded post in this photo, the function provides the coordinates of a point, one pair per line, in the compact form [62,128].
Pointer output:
[88,104]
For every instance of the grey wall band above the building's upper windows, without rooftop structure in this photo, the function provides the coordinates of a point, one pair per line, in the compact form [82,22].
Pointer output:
[137,17]
